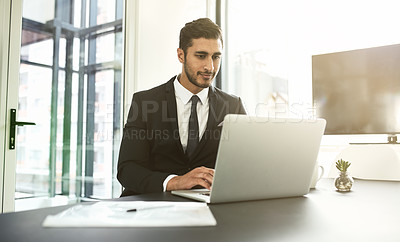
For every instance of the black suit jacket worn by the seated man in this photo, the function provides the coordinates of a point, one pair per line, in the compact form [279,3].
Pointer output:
[151,149]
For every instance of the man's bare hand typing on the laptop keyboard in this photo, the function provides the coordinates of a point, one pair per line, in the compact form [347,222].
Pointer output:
[202,176]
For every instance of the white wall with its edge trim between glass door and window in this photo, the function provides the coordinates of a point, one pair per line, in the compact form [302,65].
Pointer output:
[152,38]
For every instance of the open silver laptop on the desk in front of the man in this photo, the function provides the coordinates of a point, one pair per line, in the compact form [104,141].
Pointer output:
[262,158]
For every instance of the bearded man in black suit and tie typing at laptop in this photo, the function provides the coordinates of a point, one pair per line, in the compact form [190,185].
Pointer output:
[170,140]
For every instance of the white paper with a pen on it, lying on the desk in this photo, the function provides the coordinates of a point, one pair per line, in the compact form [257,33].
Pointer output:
[148,214]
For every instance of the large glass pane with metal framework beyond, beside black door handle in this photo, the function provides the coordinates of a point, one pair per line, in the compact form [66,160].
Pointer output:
[70,86]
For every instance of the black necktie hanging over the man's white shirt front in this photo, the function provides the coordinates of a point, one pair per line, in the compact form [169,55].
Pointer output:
[193,133]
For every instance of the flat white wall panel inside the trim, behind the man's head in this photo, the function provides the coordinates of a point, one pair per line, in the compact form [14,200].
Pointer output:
[159,24]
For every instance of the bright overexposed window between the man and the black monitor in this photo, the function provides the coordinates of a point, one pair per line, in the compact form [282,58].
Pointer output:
[269,45]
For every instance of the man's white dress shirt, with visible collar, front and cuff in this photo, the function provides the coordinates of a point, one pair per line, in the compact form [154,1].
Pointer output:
[183,106]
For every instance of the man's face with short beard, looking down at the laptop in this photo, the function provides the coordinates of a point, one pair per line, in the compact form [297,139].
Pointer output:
[202,61]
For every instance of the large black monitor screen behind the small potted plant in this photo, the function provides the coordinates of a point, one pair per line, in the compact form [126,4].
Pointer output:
[358,91]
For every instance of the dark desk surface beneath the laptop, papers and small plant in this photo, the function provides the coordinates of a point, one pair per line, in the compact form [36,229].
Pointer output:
[370,212]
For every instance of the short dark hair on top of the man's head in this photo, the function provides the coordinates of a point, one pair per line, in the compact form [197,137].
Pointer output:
[200,28]
